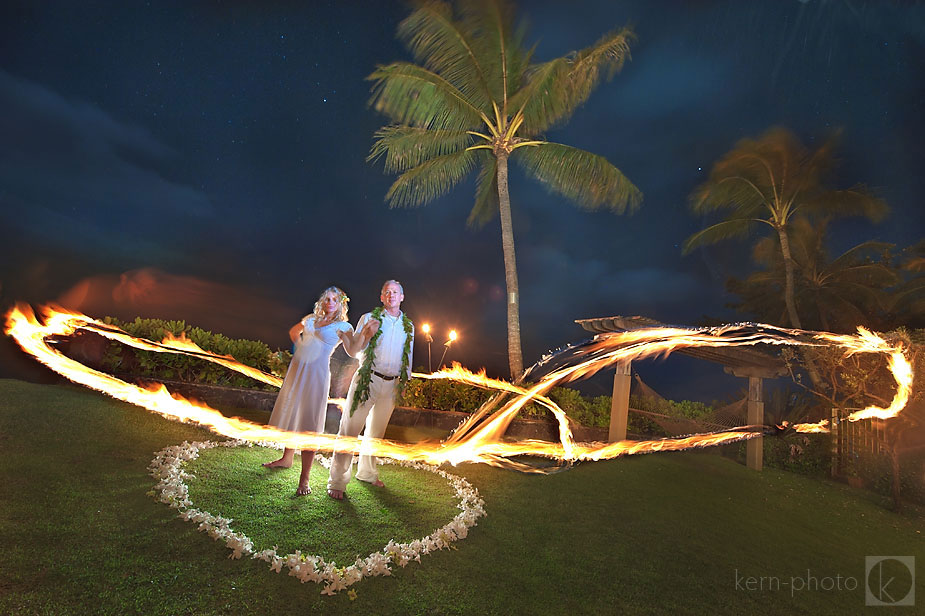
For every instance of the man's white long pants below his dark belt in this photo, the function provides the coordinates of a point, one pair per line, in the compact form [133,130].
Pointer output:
[374,414]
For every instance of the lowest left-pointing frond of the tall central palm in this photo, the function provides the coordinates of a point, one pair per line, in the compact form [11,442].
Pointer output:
[431,179]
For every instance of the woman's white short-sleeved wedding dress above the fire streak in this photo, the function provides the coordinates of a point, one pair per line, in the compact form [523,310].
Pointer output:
[303,399]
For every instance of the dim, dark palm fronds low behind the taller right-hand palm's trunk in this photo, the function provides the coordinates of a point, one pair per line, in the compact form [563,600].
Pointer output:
[831,294]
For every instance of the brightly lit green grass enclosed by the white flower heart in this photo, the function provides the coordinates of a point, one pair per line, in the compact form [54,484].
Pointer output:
[231,482]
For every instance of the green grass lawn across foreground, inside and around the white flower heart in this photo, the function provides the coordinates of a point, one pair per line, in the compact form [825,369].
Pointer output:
[652,534]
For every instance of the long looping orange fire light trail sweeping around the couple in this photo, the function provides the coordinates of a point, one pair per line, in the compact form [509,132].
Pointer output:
[479,438]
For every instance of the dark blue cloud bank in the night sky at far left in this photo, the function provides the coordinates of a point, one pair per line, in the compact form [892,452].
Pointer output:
[71,155]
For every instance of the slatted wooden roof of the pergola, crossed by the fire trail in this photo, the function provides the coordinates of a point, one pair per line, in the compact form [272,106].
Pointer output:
[740,361]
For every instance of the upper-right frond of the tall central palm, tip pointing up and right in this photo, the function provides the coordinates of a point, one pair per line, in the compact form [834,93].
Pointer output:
[555,89]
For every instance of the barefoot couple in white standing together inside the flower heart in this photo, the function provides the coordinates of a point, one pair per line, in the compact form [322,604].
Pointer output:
[383,342]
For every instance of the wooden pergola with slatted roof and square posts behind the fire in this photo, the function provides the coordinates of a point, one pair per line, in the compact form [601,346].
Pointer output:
[746,362]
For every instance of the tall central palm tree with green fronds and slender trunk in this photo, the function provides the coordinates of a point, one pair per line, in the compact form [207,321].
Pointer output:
[473,98]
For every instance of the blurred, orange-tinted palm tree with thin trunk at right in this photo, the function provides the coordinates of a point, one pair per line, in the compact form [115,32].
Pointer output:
[769,181]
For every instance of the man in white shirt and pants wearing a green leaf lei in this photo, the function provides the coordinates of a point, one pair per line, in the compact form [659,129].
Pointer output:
[385,367]
